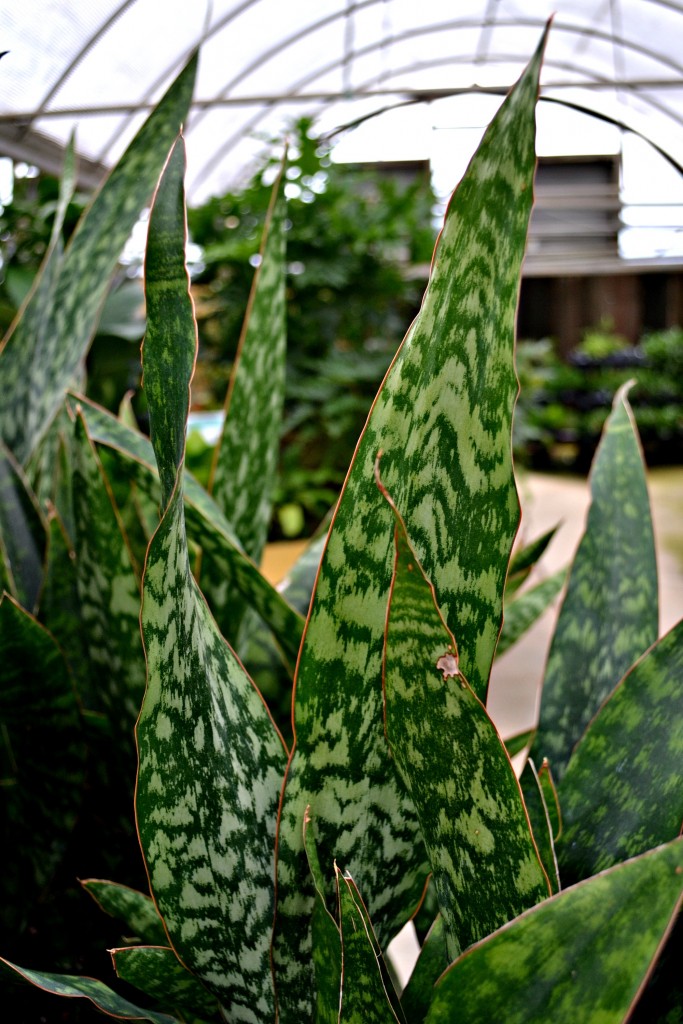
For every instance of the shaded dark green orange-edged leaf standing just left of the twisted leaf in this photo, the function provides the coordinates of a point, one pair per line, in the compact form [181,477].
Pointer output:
[108,588]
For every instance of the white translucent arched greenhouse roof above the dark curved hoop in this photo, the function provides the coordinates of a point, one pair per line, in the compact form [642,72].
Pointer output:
[100,65]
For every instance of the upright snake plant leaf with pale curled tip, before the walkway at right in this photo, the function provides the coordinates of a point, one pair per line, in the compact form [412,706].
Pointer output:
[610,615]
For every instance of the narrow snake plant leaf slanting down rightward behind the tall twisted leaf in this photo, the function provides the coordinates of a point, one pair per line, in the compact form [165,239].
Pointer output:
[206,525]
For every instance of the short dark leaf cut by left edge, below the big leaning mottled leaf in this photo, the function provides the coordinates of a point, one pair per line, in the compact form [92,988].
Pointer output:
[23,533]
